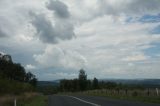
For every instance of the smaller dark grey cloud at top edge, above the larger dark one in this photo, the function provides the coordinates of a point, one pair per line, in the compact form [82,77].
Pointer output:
[60,9]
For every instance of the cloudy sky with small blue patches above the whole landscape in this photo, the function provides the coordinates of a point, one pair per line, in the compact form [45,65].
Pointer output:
[54,39]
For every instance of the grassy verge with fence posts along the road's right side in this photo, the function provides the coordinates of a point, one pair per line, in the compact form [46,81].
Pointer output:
[132,95]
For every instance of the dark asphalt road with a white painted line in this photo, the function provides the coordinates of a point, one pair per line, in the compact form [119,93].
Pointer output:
[62,100]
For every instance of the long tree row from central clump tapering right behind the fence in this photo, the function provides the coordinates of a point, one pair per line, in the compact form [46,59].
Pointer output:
[82,83]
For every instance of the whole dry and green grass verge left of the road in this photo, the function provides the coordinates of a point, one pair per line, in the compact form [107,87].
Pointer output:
[26,99]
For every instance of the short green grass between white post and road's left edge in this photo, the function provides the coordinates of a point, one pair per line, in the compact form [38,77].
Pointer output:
[39,100]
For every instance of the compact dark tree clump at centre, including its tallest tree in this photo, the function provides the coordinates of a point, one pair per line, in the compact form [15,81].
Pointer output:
[79,84]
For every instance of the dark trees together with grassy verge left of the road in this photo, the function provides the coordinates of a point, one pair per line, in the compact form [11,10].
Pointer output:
[16,83]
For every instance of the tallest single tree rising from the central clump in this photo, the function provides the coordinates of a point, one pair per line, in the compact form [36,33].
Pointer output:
[82,80]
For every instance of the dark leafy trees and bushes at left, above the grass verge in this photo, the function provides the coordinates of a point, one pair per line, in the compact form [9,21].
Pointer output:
[13,77]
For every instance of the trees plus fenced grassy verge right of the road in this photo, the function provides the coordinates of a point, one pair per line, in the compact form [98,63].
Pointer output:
[84,86]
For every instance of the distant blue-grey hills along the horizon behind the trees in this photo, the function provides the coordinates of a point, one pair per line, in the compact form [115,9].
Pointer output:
[142,82]
